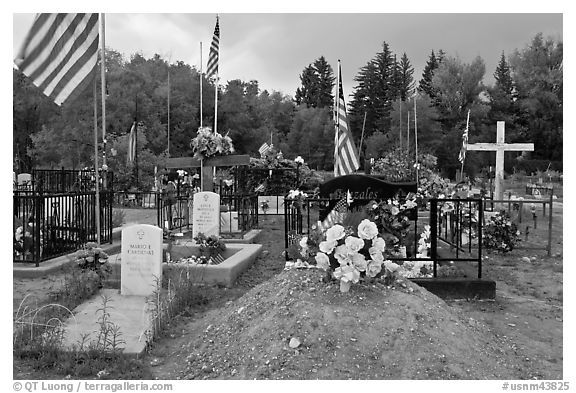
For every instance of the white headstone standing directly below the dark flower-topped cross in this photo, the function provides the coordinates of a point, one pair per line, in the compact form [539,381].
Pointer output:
[206,214]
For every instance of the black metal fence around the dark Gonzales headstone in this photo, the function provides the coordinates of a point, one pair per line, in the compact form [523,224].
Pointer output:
[455,229]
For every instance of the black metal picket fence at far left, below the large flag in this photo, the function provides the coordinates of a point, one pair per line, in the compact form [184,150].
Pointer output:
[50,225]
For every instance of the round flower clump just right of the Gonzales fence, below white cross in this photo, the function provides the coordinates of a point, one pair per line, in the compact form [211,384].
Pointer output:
[500,233]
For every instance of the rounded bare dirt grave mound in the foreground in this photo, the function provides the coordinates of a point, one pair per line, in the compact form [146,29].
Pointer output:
[295,326]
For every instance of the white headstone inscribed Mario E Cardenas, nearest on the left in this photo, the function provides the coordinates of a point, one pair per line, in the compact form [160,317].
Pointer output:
[141,252]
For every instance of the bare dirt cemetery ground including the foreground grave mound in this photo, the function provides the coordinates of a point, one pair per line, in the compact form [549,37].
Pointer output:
[276,324]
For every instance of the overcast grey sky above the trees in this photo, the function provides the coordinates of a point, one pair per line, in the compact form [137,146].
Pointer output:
[274,48]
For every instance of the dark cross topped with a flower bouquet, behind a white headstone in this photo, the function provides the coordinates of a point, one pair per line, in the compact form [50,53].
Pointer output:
[207,165]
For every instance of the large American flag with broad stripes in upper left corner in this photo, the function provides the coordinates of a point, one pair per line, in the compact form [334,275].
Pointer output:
[60,54]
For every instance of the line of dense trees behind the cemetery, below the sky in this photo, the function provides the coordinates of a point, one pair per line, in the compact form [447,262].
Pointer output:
[527,95]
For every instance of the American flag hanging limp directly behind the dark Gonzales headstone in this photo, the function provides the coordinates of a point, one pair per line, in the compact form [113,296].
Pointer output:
[346,159]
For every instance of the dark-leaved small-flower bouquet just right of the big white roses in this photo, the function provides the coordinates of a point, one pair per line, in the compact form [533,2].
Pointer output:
[393,219]
